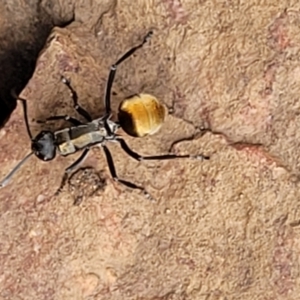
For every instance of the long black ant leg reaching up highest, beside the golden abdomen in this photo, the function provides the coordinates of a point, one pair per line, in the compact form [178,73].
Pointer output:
[113,70]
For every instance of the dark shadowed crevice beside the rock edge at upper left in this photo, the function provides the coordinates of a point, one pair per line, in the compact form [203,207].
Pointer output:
[20,46]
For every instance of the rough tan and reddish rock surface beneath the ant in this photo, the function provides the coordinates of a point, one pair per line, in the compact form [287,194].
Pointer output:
[227,228]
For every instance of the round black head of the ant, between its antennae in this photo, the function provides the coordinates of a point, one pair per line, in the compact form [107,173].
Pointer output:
[43,145]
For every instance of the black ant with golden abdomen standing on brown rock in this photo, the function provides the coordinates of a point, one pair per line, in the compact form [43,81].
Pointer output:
[138,115]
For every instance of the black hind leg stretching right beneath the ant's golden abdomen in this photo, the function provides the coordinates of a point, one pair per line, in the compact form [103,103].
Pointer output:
[139,157]
